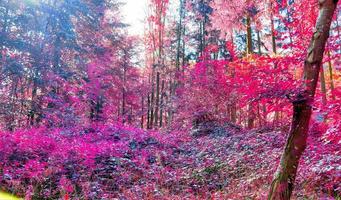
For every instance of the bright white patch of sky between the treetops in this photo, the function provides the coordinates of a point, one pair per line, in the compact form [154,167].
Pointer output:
[134,13]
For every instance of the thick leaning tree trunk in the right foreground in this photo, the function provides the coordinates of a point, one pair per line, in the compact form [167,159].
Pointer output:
[284,179]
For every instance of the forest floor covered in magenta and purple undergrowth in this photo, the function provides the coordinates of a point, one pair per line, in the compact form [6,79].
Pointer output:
[109,162]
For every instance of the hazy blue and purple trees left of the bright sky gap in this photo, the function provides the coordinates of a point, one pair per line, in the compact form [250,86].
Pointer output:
[61,58]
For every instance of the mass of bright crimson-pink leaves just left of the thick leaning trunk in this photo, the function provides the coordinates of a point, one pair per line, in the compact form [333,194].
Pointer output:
[215,85]
